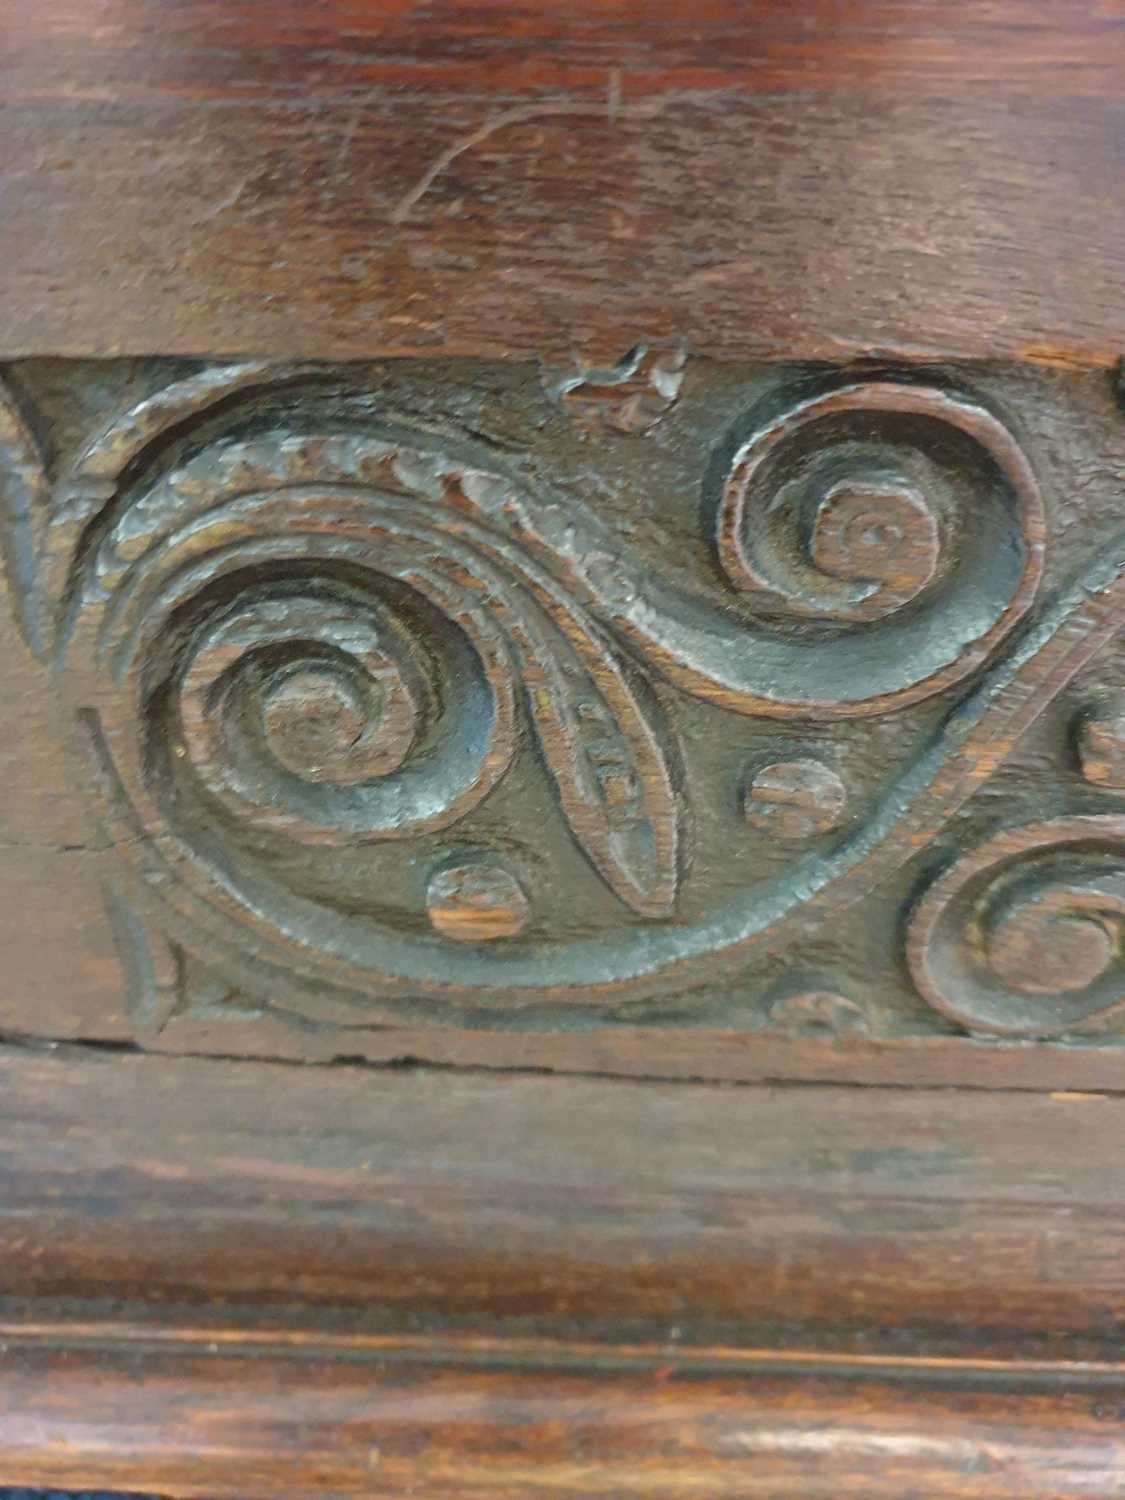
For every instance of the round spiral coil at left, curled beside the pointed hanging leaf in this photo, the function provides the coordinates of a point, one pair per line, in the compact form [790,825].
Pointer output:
[316,707]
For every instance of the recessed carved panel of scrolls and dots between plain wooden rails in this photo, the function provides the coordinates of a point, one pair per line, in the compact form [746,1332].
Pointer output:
[662,701]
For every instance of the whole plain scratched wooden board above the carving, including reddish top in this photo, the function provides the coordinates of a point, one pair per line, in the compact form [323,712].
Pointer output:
[544,181]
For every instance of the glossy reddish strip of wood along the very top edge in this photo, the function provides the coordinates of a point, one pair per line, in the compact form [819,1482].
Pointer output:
[895,46]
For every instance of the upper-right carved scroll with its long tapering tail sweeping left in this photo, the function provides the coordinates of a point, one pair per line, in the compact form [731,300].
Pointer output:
[901,524]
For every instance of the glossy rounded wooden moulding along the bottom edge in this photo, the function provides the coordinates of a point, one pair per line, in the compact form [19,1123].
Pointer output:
[194,1418]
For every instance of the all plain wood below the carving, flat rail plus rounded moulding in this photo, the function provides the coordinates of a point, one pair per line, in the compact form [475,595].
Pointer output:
[247,1282]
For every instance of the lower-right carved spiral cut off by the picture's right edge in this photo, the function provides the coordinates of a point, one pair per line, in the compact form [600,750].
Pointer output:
[1024,935]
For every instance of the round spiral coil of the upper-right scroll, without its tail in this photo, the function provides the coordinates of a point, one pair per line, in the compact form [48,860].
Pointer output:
[889,509]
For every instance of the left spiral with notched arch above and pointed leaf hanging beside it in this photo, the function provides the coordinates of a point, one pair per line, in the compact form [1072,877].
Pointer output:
[319,632]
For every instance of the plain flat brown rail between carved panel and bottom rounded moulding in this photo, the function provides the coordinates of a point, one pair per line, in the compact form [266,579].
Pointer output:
[865,1220]
